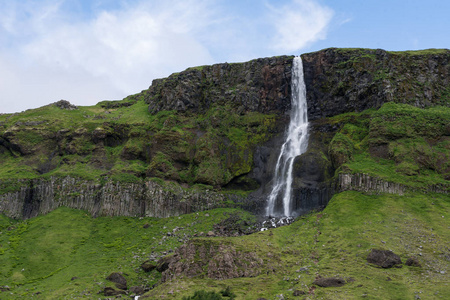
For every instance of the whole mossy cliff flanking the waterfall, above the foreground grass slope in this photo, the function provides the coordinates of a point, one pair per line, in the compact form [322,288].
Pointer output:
[219,128]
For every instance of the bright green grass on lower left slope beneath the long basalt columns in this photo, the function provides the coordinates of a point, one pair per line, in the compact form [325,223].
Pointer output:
[43,254]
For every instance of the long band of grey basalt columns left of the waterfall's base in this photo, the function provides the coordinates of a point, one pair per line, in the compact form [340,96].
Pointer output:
[149,199]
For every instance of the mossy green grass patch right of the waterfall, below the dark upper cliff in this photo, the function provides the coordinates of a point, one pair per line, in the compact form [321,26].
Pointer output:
[414,143]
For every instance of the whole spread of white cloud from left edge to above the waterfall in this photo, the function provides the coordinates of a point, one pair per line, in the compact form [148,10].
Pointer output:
[48,53]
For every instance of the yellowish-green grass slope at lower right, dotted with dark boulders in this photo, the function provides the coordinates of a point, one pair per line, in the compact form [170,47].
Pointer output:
[336,242]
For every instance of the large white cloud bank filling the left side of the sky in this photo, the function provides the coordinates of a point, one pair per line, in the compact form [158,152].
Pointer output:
[110,56]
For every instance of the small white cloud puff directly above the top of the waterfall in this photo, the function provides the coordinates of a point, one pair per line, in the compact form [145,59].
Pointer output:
[299,24]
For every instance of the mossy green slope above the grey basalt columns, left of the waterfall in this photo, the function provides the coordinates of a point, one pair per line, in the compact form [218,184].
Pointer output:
[208,148]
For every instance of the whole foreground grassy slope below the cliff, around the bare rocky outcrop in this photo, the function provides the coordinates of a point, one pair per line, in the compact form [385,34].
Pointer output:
[44,253]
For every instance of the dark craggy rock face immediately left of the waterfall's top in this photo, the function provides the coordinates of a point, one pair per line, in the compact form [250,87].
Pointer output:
[261,85]
